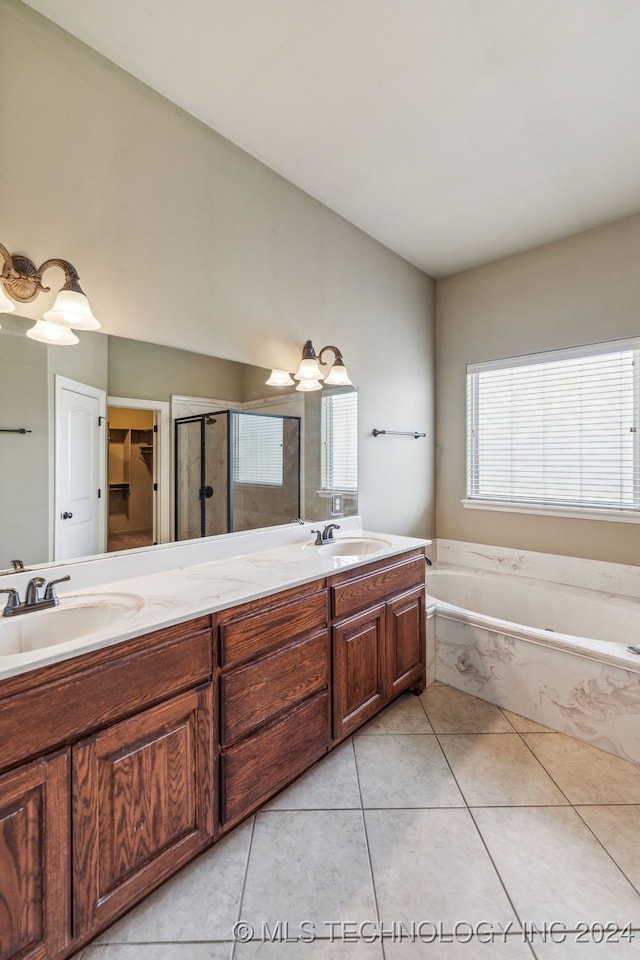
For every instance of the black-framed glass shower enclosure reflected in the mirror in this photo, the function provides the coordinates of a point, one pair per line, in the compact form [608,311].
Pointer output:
[235,470]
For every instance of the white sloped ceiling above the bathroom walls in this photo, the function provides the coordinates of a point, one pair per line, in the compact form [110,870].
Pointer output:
[453,131]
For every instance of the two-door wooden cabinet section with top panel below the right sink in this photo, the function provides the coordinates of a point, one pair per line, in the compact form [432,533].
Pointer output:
[378,639]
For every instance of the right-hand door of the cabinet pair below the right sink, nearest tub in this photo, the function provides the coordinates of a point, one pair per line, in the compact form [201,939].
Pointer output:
[406,641]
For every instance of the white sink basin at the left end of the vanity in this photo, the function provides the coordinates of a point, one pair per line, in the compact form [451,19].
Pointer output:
[74,619]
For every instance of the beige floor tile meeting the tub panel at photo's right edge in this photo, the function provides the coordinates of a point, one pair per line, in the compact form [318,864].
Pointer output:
[584,773]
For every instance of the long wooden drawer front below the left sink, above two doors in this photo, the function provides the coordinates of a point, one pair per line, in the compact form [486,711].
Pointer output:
[95,696]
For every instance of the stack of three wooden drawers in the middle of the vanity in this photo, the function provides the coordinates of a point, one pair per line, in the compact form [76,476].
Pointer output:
[274,700]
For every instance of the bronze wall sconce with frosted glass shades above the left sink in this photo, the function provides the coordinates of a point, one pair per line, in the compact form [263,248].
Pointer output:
[22,281]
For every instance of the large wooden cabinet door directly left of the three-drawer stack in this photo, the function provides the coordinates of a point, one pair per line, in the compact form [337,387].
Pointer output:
[142,805]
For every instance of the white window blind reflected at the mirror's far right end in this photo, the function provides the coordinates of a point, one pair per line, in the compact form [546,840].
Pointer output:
[340,442]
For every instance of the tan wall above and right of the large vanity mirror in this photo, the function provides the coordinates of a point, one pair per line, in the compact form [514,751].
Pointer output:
[182,239]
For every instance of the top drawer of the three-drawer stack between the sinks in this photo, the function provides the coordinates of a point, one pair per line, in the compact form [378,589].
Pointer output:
[252,634]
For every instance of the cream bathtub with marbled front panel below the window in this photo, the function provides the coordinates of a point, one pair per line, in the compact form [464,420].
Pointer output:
[552,653]
